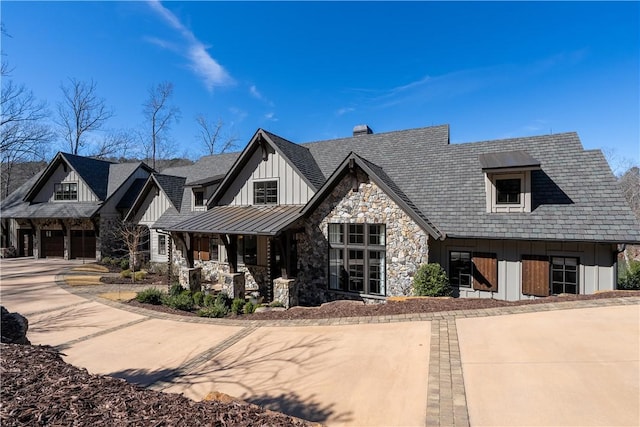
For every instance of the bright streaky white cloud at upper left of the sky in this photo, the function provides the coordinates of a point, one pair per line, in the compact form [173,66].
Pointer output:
[200,61]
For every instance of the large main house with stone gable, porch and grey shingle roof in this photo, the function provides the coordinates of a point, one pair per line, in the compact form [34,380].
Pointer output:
[354,218]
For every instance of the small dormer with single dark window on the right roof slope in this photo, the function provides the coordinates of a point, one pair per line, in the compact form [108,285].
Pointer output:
[507,177]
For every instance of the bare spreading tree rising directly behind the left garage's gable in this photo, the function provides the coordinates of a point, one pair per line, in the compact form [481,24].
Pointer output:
[81,112]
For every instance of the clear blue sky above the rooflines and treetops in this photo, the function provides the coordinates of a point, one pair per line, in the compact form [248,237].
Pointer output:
[312,70]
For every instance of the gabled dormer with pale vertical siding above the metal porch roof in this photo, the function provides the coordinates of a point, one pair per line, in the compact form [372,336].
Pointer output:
[270,171]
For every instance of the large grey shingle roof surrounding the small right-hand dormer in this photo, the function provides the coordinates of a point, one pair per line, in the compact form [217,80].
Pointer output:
[575,196]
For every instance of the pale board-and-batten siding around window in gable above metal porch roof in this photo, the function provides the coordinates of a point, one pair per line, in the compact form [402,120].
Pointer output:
[292,188]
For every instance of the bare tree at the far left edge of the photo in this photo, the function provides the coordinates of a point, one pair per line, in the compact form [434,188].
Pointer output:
[24,133]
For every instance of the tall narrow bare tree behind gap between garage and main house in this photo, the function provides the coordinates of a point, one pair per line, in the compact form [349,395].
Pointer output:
[160,115]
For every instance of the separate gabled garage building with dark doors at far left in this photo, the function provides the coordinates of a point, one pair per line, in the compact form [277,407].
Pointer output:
[70,209]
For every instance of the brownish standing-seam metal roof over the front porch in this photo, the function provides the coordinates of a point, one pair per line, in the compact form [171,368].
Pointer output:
[253,220]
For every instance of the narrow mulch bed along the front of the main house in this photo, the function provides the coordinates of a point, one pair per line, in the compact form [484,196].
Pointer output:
[339,309]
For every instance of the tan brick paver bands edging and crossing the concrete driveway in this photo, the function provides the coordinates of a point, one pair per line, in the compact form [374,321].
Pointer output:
[446,398]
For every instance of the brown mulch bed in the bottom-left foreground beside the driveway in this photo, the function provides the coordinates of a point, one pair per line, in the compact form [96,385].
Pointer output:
[39,388]
